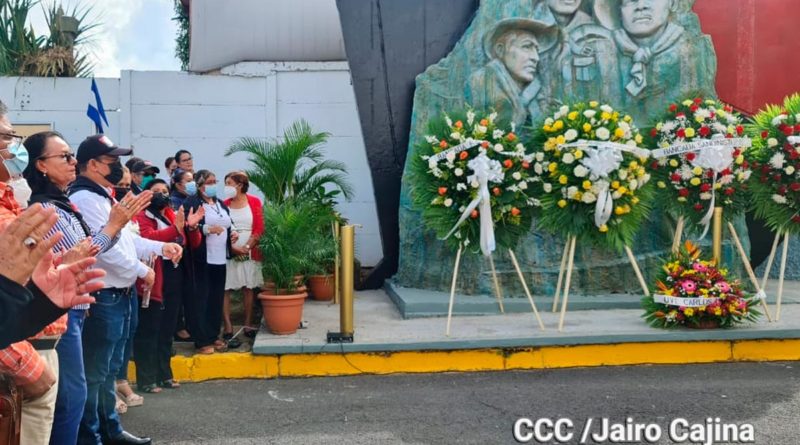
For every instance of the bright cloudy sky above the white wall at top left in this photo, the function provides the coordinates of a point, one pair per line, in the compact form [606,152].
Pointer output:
[135,35]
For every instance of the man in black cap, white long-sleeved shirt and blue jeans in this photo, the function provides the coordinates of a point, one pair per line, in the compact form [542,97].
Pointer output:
[106,328]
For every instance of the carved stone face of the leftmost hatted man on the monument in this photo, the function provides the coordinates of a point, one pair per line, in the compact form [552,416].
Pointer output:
[519,52]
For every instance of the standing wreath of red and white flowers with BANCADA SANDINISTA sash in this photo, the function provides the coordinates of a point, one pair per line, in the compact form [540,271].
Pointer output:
[695,181]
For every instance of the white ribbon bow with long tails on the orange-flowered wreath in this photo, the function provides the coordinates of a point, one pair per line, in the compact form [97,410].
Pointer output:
[485,170]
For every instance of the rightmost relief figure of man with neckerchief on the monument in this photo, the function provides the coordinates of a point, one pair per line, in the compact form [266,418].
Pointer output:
[660,61]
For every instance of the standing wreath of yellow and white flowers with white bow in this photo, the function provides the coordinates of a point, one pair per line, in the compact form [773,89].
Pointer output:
[593,177]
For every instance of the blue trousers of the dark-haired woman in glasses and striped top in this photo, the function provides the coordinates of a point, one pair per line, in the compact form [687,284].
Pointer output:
[71,382]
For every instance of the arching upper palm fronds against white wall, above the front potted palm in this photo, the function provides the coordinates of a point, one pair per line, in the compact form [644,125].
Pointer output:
[294,167]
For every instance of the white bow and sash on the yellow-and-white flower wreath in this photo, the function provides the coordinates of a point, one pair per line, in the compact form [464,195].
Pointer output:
[603,158]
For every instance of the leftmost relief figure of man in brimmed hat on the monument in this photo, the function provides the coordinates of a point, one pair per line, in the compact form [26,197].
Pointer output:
[510,83]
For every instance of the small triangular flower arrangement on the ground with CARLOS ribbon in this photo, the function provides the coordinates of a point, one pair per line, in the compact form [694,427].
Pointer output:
[695,293]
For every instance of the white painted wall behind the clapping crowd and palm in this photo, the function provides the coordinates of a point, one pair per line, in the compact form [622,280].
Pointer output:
[158,113]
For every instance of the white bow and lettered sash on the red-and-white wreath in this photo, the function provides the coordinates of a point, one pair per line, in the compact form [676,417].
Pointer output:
[715,154]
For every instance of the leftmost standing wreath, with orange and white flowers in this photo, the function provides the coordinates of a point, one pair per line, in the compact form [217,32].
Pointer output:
[445,181]
